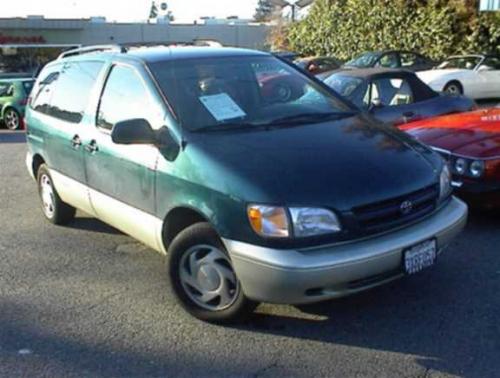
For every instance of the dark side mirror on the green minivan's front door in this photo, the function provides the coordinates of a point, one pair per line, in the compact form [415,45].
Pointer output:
[133,131]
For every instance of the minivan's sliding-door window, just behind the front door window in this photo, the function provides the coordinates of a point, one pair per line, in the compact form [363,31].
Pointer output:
[73,90]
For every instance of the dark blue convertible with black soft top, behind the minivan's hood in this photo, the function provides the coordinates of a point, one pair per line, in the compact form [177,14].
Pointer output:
[393,95]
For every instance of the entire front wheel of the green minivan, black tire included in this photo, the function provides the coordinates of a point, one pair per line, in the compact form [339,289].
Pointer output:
[202,277]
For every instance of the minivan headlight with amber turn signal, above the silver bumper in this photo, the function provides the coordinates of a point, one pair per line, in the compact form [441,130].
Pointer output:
[271,221]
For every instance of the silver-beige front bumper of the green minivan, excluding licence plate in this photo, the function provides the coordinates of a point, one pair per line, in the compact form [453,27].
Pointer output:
[316,274]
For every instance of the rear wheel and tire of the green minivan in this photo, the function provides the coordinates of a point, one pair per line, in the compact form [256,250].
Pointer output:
[54,209]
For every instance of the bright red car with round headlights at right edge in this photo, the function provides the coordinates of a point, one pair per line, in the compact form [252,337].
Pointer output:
[470,142]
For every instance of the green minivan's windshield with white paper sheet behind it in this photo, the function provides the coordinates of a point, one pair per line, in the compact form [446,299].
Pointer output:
[243,92]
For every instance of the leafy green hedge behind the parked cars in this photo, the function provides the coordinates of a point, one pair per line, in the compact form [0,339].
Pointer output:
[436,28]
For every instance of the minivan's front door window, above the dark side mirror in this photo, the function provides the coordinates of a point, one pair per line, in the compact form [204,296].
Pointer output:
[124,97]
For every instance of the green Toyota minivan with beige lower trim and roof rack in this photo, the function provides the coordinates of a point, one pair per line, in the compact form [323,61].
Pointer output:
[258,182]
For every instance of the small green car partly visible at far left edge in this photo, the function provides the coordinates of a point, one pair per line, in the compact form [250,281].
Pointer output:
[13,98]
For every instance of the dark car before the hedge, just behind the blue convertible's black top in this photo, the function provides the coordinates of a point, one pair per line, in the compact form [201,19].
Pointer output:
[391,59]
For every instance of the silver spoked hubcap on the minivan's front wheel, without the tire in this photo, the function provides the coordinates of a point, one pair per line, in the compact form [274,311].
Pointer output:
[207,278]
